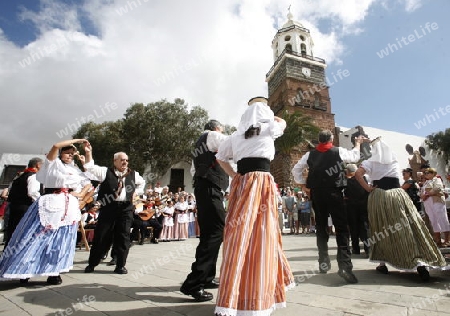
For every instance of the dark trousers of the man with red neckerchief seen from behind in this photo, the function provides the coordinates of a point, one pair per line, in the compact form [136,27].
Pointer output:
[330,201]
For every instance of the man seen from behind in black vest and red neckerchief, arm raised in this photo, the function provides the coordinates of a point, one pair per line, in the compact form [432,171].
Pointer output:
[325,182]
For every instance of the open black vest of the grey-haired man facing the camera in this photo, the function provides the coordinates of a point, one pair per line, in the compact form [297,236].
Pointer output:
[108,188]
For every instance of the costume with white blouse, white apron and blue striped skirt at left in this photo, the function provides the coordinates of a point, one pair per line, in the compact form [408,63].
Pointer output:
[43,243]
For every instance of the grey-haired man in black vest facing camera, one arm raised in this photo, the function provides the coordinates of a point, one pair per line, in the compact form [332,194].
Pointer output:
[118,186]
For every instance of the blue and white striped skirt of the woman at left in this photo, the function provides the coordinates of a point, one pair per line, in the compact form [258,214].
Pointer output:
[36,251]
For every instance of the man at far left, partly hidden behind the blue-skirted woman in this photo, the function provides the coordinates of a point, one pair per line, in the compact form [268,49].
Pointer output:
[25,189]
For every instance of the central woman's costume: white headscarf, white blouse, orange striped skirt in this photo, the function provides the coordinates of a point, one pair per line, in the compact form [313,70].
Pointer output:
[255,272]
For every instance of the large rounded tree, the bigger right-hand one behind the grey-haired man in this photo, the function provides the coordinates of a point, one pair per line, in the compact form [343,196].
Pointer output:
[161,134]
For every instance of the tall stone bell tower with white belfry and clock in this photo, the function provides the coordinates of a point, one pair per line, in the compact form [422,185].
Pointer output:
[297,82]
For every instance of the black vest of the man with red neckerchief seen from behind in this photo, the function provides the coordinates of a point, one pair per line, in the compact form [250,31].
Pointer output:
[326,169]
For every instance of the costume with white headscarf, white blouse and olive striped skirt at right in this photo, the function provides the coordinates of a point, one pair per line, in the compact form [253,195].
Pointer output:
[398,235]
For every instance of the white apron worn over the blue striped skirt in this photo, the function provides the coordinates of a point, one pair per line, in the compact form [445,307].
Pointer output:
[52,210]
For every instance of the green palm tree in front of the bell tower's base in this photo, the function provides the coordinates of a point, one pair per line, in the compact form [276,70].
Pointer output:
[300,129]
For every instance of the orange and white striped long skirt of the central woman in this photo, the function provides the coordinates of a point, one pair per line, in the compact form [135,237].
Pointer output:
[255,273]
